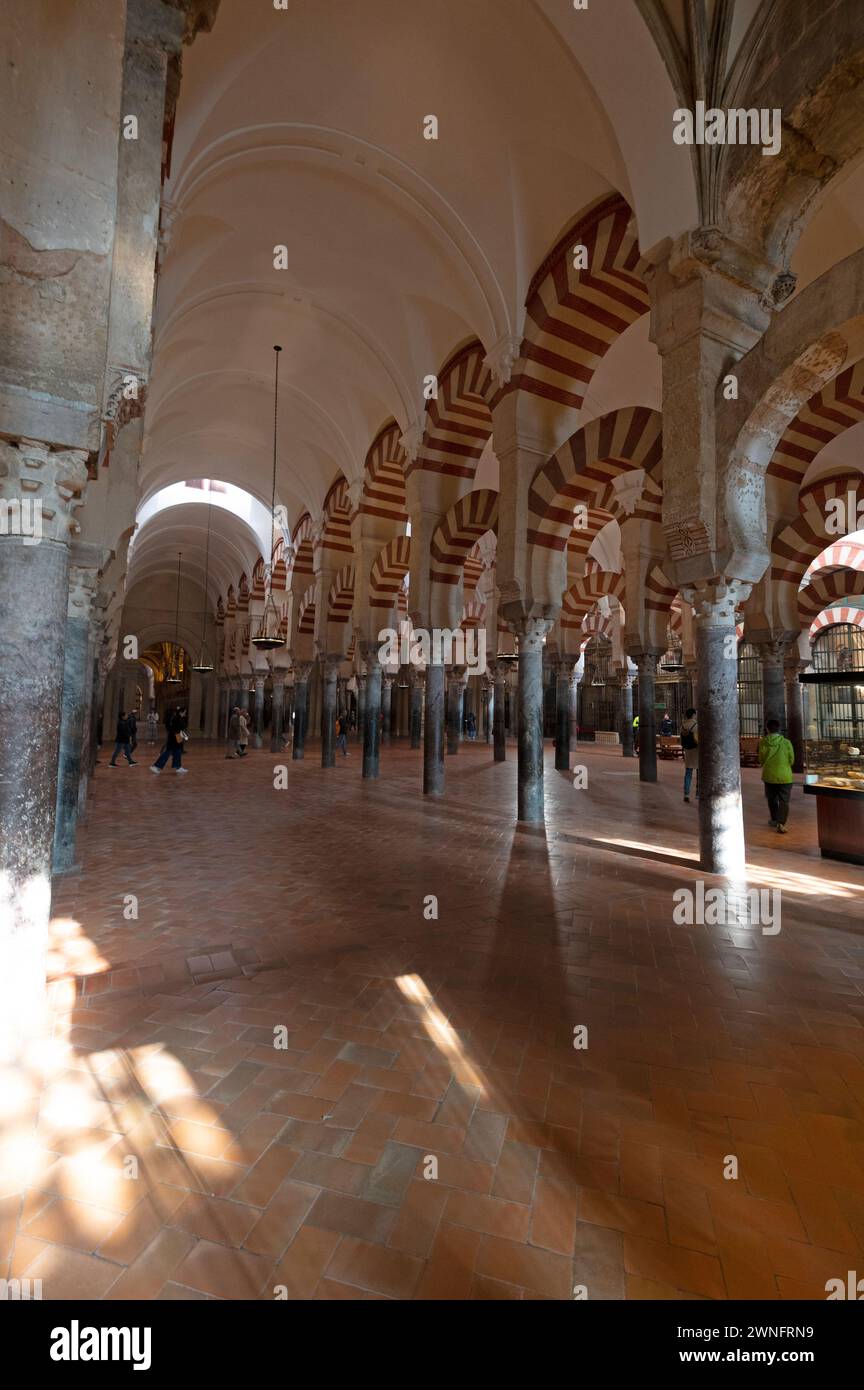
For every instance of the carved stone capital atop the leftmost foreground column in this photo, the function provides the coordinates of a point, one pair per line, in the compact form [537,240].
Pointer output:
[41,490]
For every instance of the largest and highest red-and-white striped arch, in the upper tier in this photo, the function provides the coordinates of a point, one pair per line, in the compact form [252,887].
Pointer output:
[574,316]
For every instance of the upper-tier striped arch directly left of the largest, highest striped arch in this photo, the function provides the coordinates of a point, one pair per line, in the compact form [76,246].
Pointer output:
[459,422]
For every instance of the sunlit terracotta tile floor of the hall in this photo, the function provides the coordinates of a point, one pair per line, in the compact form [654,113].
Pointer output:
[254,1078]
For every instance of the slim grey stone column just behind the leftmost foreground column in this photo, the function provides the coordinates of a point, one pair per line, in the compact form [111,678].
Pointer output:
[77,680]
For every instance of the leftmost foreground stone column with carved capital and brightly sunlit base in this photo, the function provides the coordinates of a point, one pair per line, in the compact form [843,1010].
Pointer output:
[40,491]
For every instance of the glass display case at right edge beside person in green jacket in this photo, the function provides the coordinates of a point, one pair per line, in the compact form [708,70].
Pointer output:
[834,761]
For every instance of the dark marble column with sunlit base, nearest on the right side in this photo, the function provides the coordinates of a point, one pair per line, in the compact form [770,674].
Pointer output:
[722,829]
